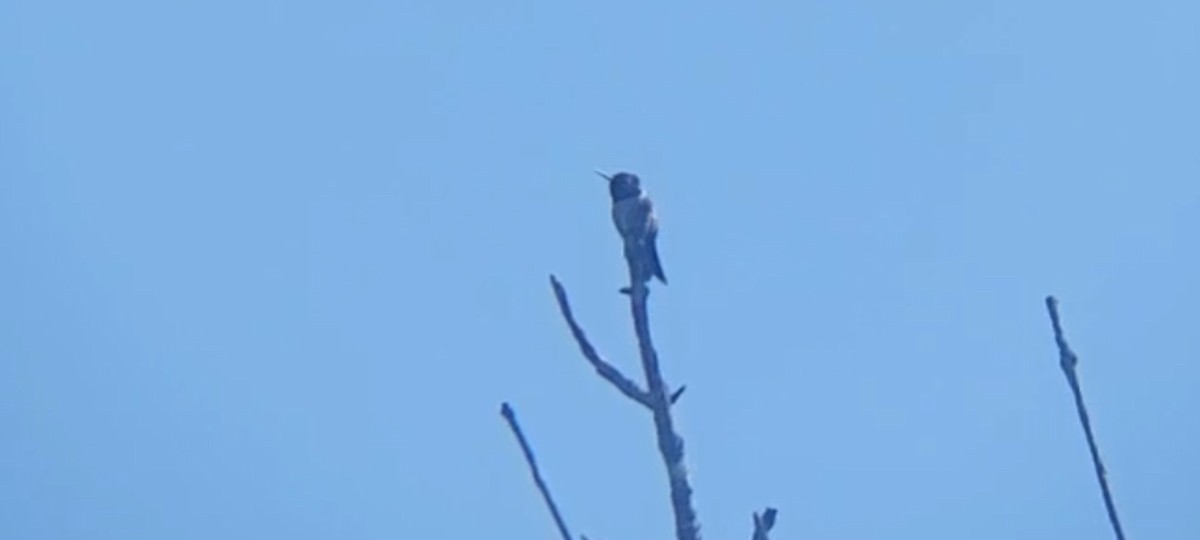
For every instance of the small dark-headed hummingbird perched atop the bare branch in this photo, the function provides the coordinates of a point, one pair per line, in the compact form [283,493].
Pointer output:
[634,217]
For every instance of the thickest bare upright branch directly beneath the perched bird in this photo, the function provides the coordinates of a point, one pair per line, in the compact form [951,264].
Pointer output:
[670,443]
